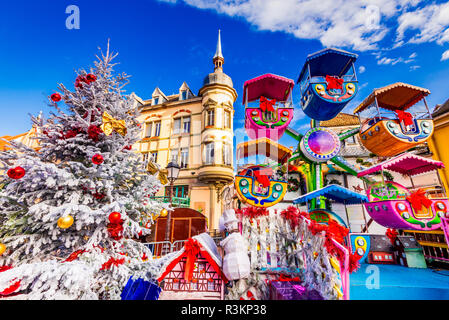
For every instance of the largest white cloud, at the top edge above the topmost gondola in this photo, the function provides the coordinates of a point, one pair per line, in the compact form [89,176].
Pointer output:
[351,23]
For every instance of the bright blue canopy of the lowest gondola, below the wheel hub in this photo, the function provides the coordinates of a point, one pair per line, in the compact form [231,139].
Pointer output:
[336,193]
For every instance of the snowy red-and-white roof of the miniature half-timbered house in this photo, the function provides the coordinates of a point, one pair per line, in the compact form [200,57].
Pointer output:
[208,250]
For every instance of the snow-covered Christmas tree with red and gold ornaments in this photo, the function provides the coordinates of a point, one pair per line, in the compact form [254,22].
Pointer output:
[70,211]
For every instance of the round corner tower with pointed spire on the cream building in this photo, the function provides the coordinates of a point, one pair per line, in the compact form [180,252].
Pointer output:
[218,97]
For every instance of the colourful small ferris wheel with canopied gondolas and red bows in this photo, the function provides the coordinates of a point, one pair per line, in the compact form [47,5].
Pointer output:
[390,125]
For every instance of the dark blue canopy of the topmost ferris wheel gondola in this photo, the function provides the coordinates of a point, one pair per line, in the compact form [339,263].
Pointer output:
[330,61]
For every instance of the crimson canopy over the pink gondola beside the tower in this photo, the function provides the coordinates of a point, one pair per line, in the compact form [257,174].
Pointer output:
[269,86]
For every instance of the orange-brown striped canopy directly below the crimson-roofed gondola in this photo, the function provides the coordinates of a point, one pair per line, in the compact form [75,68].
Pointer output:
[263,146]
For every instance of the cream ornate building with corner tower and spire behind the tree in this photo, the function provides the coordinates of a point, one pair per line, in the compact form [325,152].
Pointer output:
[196,131]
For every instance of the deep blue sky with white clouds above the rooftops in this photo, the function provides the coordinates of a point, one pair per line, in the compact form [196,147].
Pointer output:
[163,43]
